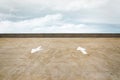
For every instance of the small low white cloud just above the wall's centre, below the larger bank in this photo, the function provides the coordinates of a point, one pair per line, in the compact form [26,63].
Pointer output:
[64,28]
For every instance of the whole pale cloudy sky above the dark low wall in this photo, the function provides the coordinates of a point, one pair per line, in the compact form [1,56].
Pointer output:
[59,16]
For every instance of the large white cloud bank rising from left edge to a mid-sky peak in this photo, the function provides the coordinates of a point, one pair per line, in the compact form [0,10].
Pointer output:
[48,24]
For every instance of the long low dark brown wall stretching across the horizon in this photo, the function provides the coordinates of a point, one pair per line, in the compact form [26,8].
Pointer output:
[60,35]
